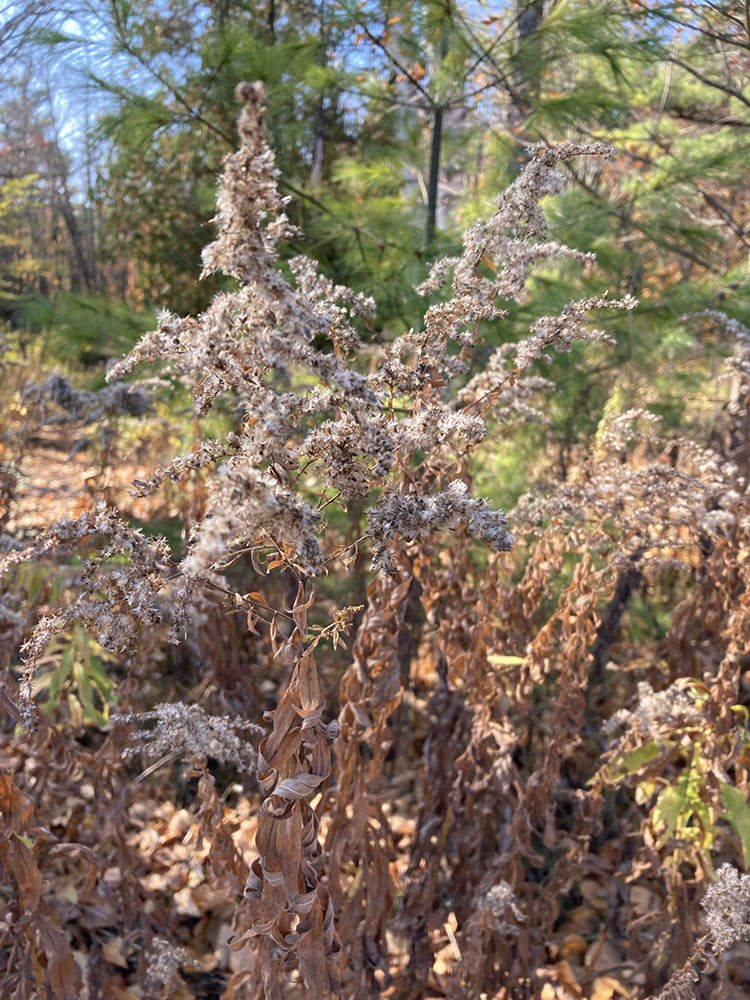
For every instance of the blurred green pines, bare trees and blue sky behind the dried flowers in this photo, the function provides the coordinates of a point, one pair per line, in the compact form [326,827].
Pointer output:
[392,131]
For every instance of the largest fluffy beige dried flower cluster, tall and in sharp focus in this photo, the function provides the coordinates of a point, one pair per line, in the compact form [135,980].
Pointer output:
[266,329]
